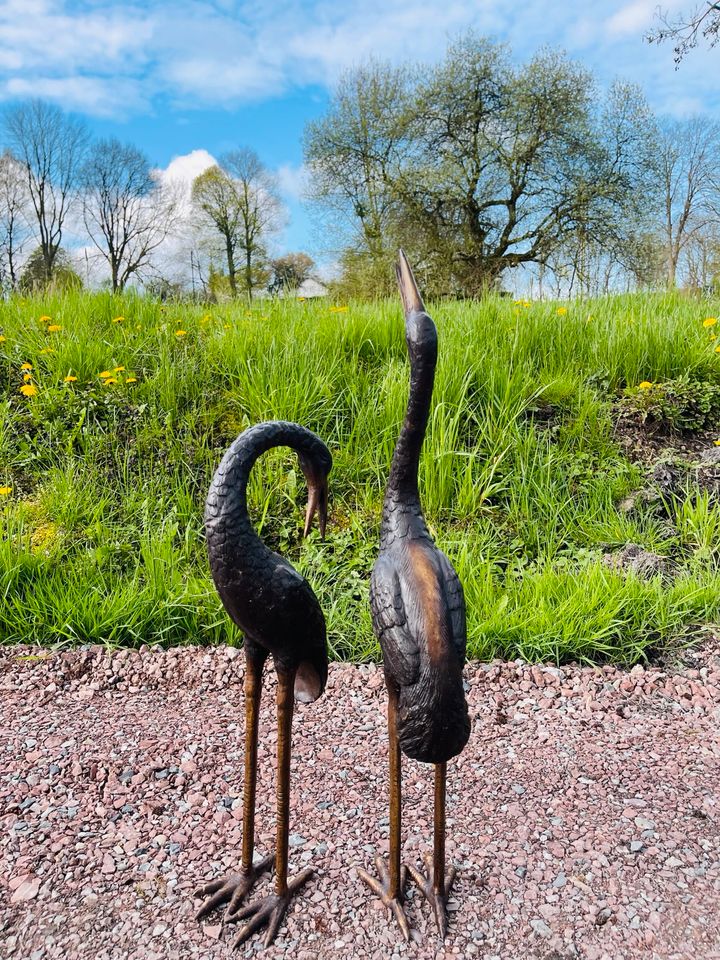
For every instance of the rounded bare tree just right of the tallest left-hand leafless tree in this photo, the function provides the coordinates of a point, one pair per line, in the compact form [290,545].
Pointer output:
[126,210]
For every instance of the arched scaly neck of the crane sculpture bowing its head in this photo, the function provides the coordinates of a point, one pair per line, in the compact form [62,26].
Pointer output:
[227,499]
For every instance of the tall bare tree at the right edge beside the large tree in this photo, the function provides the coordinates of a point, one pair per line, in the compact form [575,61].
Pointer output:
[690,185]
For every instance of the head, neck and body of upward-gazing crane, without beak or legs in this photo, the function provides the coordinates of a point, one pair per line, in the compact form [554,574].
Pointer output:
[416,598]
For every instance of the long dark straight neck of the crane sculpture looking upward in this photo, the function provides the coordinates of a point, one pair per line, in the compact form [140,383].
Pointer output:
[402,488]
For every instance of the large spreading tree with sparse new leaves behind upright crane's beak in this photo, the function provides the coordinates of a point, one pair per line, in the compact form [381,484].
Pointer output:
[477,166]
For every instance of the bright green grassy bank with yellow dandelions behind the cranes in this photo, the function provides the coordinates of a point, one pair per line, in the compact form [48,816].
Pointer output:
[101,534]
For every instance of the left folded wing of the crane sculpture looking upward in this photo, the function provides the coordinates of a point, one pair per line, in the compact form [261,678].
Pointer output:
[401,655]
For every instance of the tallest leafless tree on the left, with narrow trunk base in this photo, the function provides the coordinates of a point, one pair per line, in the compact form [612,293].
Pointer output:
[50,145]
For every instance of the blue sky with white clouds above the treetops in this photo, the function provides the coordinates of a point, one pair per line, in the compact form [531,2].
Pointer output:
[209,75]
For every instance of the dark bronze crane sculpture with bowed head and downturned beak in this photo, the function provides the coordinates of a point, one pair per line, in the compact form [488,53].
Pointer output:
[280,617]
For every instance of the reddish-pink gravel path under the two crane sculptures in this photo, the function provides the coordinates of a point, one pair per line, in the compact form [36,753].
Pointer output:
[583,816]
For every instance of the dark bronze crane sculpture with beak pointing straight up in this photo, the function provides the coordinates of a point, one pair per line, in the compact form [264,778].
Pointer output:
[418,614]
